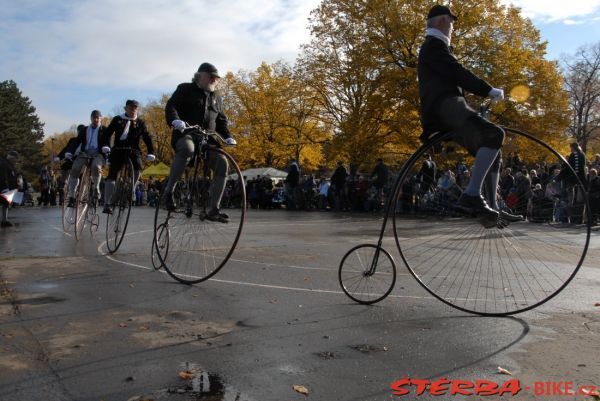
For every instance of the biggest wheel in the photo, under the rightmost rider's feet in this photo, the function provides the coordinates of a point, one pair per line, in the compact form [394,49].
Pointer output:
[487,271]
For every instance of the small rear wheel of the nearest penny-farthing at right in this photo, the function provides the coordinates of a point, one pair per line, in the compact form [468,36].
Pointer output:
[367,274]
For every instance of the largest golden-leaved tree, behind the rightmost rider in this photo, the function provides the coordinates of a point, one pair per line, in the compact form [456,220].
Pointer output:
[363,56]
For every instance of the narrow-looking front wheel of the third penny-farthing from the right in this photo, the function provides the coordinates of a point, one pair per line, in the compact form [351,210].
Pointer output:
[116,222]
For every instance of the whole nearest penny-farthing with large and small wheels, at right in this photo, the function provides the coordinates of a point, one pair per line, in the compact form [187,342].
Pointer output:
[487,271]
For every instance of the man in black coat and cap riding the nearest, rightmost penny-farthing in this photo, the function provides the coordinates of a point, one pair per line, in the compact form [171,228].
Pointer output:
[442,82]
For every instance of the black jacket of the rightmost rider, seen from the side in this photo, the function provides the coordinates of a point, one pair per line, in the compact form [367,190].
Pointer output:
[442,76]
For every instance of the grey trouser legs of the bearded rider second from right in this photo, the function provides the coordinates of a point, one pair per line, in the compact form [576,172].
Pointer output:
[217,163]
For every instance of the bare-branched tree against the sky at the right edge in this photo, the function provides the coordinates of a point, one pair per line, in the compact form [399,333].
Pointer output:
[582,80]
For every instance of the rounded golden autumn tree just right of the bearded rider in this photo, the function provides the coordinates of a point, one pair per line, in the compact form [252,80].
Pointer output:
[274,117]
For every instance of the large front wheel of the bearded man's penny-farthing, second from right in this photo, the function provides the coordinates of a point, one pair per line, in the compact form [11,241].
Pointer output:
[199,248]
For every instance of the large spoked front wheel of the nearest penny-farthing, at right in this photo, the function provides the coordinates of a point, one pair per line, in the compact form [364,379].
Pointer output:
[496,270]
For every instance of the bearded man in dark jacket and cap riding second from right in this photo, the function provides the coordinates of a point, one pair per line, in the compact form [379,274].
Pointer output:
[197,103]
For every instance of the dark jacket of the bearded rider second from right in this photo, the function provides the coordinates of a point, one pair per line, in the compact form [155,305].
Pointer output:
[189,103]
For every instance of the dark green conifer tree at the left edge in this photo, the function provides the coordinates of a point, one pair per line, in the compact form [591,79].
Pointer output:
[20,127]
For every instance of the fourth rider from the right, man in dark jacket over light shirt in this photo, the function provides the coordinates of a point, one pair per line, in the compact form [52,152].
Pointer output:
[88,143]
